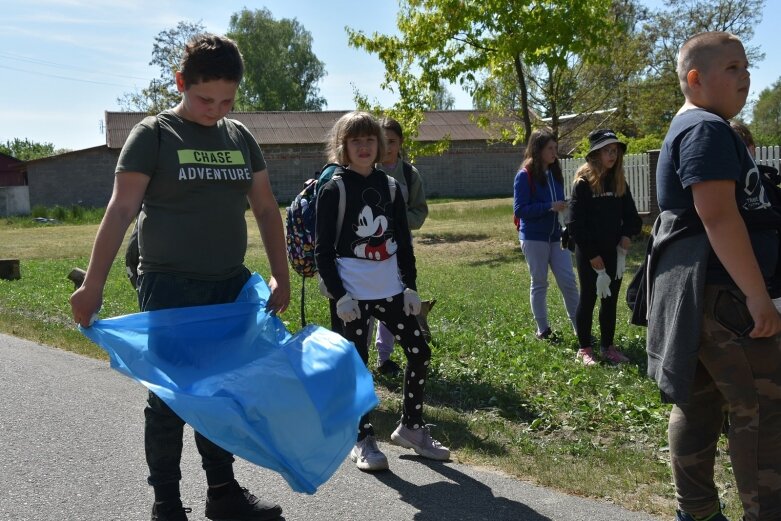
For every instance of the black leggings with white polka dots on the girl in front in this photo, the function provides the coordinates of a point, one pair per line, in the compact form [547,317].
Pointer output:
[406,331]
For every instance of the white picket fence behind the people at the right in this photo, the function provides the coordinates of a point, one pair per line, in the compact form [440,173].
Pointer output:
[637,171]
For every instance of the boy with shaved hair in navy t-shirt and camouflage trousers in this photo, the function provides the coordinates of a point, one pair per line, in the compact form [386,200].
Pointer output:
[735,362]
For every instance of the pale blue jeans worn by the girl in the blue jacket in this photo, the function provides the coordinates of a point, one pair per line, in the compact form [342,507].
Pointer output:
[539,256]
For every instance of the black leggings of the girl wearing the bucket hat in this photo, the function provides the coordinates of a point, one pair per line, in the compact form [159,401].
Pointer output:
[584,317]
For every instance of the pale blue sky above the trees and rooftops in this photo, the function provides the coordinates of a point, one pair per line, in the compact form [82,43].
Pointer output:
[63,63]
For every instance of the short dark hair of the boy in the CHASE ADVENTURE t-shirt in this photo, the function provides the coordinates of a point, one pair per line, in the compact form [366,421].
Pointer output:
[209,57]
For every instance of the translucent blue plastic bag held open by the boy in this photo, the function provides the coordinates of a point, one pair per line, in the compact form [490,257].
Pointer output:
[290,403]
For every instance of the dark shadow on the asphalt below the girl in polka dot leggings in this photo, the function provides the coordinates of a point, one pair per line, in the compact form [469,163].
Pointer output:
[456,496]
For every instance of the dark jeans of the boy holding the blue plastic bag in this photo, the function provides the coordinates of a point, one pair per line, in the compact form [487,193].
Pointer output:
[164,429]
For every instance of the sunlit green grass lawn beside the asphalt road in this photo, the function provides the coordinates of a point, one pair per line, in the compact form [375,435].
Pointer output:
[499,397]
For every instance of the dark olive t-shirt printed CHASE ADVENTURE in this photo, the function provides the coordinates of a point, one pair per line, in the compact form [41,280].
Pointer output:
[192,219]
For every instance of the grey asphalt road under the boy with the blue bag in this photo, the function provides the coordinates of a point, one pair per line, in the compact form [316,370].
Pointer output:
[71,449]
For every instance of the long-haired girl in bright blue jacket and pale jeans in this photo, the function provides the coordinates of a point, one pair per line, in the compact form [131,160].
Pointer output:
[538,202]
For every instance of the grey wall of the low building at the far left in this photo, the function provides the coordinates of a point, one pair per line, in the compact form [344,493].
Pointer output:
[84,177]
